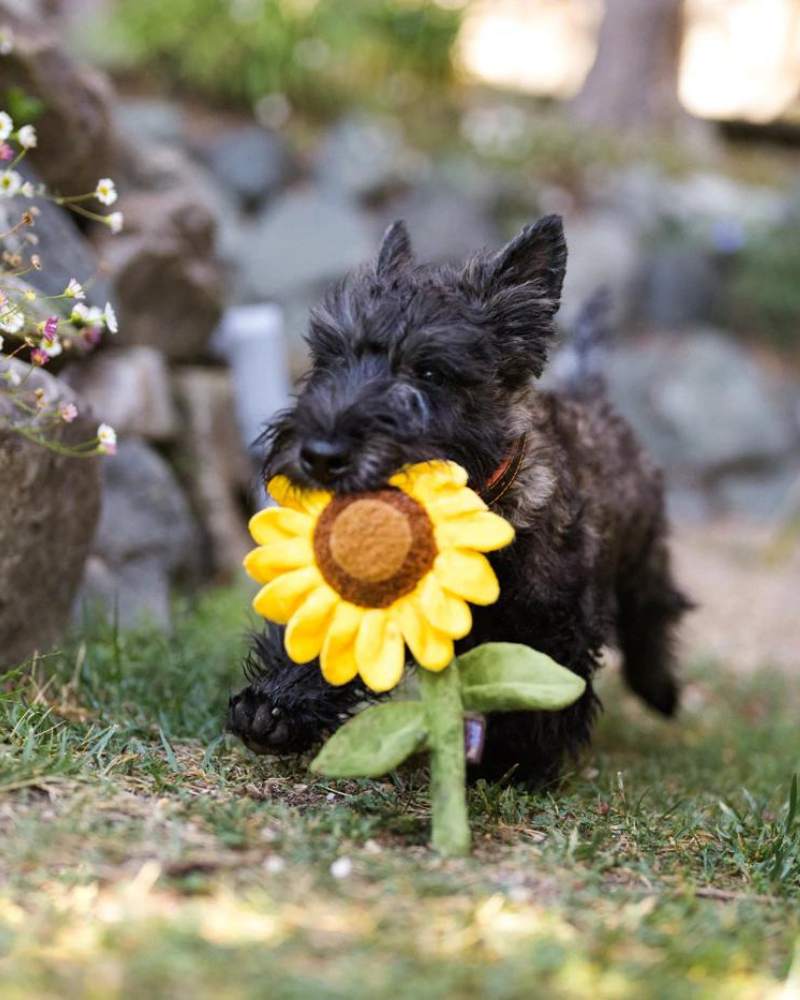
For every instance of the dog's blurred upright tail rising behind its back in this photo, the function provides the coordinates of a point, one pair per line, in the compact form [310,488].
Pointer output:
[581,362]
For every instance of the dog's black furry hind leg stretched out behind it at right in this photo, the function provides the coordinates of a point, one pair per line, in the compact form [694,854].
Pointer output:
[649,607]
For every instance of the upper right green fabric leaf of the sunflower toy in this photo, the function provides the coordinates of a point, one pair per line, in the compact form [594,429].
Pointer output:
[509,677]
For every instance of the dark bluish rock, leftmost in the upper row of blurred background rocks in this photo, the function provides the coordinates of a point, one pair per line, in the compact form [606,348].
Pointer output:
[252,163]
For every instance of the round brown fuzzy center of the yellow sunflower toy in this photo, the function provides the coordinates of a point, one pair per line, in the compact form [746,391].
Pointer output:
[373,548]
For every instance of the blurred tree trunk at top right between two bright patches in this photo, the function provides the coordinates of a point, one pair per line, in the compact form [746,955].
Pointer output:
[633,84]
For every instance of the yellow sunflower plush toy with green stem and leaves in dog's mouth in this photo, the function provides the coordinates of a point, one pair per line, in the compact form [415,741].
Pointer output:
[357,579]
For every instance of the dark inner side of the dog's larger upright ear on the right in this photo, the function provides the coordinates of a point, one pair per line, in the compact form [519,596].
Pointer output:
[537,256]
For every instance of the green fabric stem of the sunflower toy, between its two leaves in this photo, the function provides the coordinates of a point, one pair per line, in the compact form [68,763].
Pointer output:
[441,695]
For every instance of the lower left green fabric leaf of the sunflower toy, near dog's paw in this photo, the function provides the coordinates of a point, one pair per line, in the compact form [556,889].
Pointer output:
[374,742]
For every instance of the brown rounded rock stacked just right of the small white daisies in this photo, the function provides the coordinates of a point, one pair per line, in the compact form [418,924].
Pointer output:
[167,284]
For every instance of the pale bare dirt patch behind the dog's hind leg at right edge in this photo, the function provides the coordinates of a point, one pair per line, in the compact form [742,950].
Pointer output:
[745,580]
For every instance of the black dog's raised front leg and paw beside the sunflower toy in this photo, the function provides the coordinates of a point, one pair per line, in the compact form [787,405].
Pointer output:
[287,707]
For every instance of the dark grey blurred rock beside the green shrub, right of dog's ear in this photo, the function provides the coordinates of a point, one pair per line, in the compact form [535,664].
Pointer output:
[682,286]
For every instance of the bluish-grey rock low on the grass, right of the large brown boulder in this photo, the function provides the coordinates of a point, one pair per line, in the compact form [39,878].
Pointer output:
[146,536]
